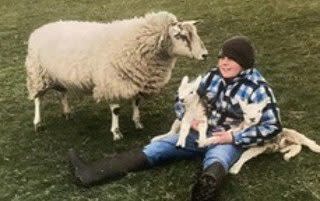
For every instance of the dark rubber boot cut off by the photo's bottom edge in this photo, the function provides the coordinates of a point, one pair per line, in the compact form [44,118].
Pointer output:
[207,186]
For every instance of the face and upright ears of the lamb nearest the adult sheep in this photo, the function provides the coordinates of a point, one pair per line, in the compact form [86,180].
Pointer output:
[187,92]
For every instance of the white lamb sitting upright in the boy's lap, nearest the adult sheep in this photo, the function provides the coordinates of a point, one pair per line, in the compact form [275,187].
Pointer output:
[194,109]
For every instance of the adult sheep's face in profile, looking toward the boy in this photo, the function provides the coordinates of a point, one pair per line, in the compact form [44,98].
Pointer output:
[186,41]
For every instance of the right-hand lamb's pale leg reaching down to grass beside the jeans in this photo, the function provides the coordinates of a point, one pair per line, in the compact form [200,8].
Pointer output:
[247,155]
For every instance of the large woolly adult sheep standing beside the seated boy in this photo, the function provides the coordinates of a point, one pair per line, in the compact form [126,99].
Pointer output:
[123,59]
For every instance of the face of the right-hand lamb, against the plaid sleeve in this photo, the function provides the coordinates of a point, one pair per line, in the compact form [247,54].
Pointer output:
[252,112]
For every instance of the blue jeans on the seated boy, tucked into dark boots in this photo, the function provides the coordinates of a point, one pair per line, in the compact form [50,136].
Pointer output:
[164,150]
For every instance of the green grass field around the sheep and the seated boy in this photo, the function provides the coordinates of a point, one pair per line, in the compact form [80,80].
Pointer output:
[33,165]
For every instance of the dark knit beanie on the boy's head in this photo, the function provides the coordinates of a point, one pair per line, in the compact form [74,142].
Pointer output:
[240,49]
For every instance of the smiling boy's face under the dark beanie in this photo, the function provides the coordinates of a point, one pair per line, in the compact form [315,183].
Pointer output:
[228,67]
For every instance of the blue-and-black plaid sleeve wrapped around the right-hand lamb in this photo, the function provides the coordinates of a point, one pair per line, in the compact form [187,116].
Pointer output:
[269,125]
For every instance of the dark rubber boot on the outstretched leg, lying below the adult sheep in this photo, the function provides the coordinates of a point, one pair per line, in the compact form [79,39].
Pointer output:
[107,169]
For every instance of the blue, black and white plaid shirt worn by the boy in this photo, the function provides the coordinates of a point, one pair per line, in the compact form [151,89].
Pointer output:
[223,102]
